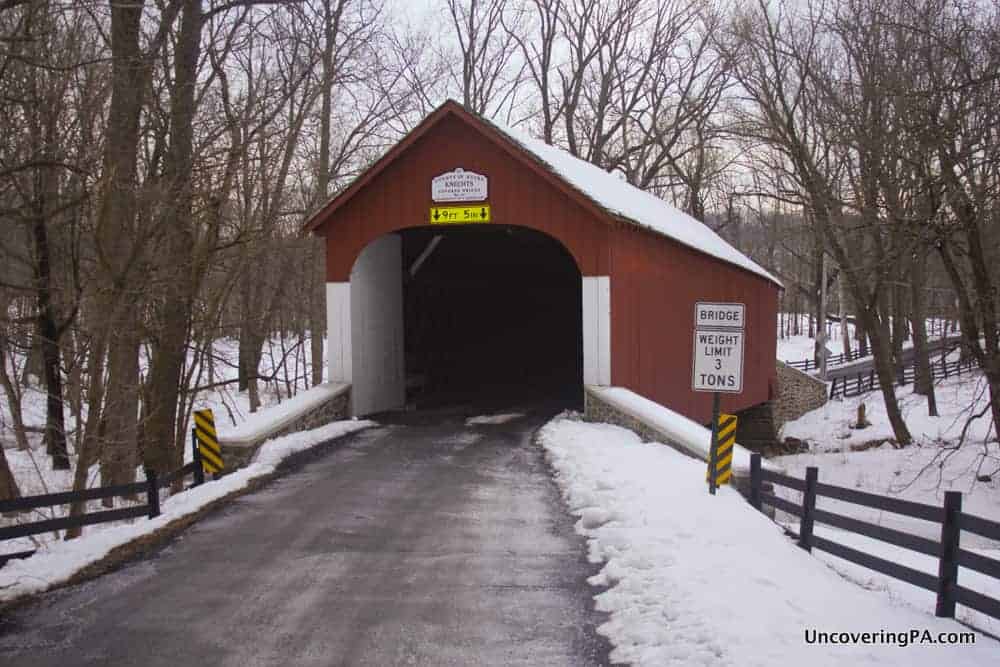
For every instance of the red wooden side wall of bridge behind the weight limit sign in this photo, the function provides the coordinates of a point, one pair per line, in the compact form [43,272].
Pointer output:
[655,283]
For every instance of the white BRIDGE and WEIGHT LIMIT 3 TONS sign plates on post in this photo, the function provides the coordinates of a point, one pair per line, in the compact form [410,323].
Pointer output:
[718,347]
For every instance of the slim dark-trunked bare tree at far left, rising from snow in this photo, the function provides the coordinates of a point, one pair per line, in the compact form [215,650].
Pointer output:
[45,167]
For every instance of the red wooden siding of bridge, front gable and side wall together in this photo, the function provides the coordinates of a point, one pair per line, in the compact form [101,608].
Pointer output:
[655,281]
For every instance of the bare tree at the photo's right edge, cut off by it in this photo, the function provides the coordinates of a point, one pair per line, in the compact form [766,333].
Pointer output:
[958,57]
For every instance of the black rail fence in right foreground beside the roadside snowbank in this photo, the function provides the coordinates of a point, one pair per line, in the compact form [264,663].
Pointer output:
[952,520]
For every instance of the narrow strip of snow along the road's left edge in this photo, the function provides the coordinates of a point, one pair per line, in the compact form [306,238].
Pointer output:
[56,562]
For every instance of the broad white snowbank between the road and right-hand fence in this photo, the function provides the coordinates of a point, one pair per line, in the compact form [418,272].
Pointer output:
[693,579]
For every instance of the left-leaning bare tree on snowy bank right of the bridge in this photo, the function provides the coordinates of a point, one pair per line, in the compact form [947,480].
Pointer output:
[780,65]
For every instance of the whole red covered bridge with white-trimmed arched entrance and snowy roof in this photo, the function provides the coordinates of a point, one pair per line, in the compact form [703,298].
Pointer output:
[471,258]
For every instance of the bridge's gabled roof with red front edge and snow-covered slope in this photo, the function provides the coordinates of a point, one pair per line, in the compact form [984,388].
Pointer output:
[601,192]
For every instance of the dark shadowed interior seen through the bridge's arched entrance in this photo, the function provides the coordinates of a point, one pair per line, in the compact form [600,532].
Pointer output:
[492,316]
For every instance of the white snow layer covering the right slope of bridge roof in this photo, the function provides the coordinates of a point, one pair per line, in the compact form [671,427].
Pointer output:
[619,198]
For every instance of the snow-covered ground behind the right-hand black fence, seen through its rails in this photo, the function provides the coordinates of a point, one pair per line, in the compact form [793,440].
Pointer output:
[921,472]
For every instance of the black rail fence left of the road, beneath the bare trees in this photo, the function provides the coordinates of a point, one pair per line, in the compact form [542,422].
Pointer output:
[151,487]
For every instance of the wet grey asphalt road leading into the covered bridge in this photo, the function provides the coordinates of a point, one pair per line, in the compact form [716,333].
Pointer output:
[421,542]
